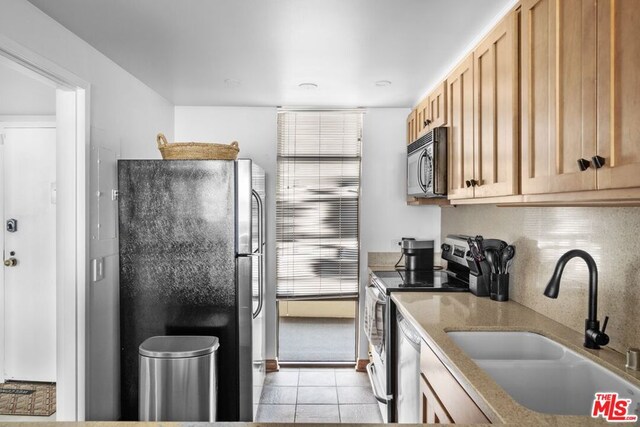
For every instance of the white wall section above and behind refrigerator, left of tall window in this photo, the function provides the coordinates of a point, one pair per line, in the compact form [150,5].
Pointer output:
[255,130]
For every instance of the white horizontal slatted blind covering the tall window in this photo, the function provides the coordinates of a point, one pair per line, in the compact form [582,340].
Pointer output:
[317,202]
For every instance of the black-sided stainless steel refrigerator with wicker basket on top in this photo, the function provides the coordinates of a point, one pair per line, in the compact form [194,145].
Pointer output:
[192,249]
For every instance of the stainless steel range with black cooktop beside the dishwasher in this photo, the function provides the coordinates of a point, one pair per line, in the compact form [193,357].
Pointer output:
[380,321]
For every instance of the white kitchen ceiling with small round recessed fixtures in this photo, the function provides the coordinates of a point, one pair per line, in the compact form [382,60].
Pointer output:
[186,49]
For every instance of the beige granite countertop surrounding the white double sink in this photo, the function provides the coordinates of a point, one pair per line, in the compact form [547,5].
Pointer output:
[435,314]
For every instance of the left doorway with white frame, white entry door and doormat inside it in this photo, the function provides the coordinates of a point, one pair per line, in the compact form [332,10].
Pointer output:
[43,355]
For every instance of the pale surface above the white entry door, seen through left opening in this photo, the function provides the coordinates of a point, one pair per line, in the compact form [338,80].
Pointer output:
[21,95]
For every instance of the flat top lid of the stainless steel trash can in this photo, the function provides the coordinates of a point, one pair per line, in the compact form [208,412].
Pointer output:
[175,346]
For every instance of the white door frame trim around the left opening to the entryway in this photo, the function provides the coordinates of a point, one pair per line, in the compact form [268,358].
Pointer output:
[72,139]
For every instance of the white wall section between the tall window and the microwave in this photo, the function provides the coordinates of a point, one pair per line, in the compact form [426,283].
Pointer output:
[384,214]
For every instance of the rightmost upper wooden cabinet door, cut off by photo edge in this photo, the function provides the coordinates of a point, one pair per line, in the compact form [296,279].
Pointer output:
[619,93]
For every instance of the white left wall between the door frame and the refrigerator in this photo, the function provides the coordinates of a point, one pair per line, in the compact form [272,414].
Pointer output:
[125,116]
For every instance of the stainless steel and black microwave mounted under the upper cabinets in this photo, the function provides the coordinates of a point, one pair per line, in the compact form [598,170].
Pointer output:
[427,165]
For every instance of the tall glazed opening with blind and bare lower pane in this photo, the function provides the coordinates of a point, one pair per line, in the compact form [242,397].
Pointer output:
[317,234]
